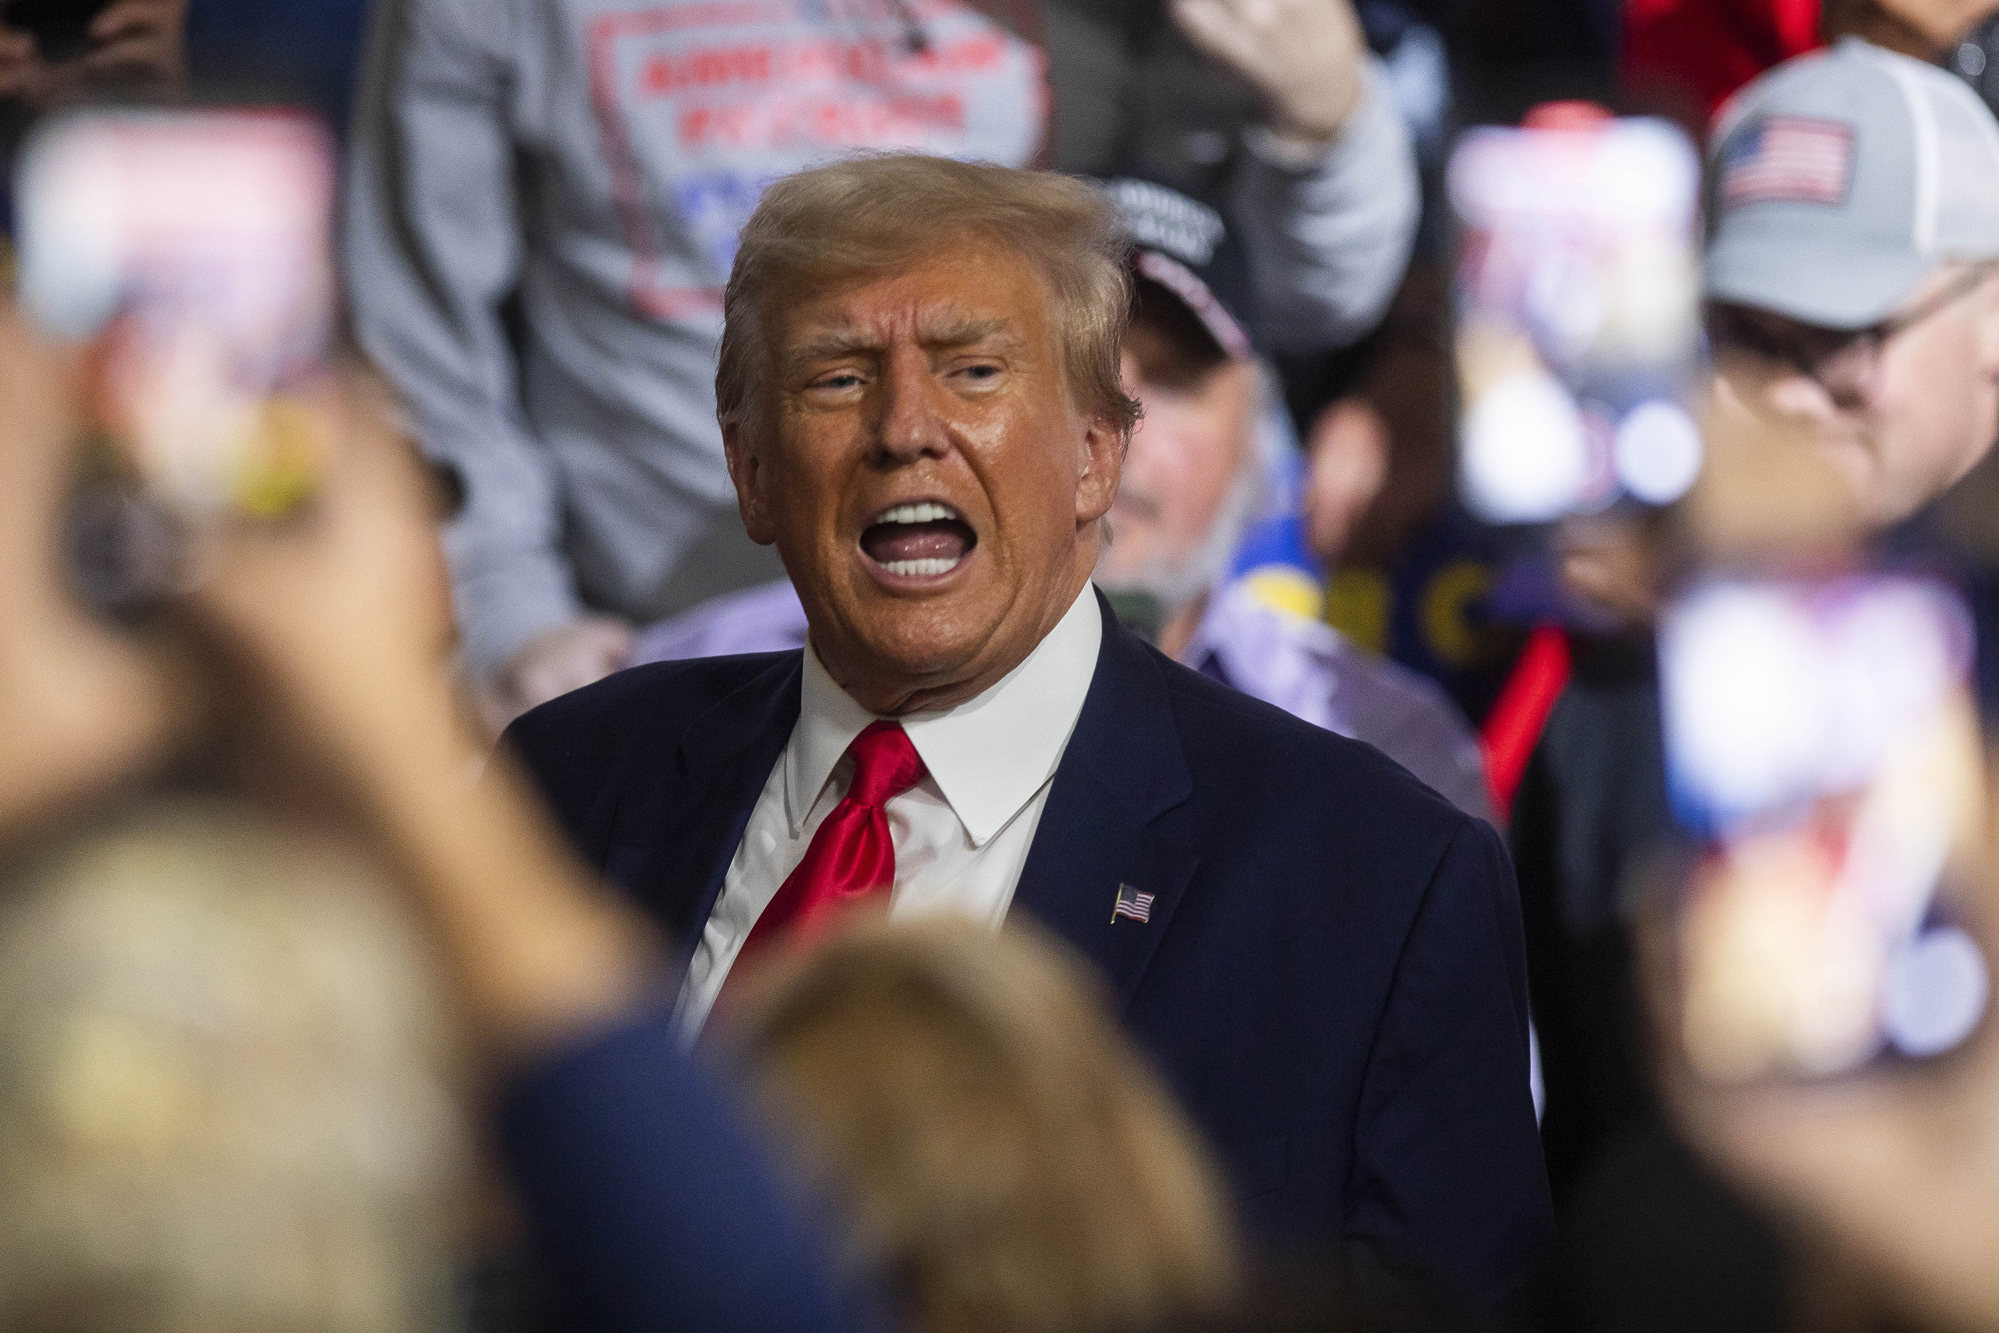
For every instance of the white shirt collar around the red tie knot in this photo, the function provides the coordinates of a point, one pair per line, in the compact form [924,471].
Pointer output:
[989,756]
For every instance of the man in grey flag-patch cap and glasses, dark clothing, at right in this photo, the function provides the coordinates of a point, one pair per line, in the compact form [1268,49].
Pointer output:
[1854,217]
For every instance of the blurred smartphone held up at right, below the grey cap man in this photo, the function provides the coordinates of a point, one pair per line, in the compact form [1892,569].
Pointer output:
[1824,752]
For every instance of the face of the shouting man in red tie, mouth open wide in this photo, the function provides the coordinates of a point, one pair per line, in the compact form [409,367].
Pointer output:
[921,463]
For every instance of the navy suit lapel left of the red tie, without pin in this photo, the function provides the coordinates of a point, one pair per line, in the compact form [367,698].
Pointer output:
[673,848]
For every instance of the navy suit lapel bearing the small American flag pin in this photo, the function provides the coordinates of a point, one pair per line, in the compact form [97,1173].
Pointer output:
[1098,834]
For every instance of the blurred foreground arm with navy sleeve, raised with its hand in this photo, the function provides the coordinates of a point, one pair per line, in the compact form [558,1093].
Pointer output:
[635,1166]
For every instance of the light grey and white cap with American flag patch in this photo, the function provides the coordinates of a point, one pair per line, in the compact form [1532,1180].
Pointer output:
[1842,179]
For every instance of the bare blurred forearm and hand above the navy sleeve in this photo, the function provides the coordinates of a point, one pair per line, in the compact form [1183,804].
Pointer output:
[335,631]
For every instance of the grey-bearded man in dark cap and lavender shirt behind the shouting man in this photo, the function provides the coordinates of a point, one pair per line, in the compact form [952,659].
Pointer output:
[1198,475]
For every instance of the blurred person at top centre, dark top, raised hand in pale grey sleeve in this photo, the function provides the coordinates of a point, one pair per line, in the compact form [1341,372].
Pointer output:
[1272,115]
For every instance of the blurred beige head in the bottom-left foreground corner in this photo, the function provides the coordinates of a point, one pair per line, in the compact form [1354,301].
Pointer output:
[225,1088]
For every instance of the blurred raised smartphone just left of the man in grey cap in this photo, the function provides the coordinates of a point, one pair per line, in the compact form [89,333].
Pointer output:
[1578,317]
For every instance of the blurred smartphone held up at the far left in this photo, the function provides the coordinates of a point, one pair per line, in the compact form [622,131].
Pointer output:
[189,255]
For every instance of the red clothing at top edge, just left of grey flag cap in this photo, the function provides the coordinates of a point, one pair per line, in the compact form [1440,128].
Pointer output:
[1708,49]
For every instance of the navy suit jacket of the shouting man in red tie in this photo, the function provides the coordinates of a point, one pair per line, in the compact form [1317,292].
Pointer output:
[1332,978]
